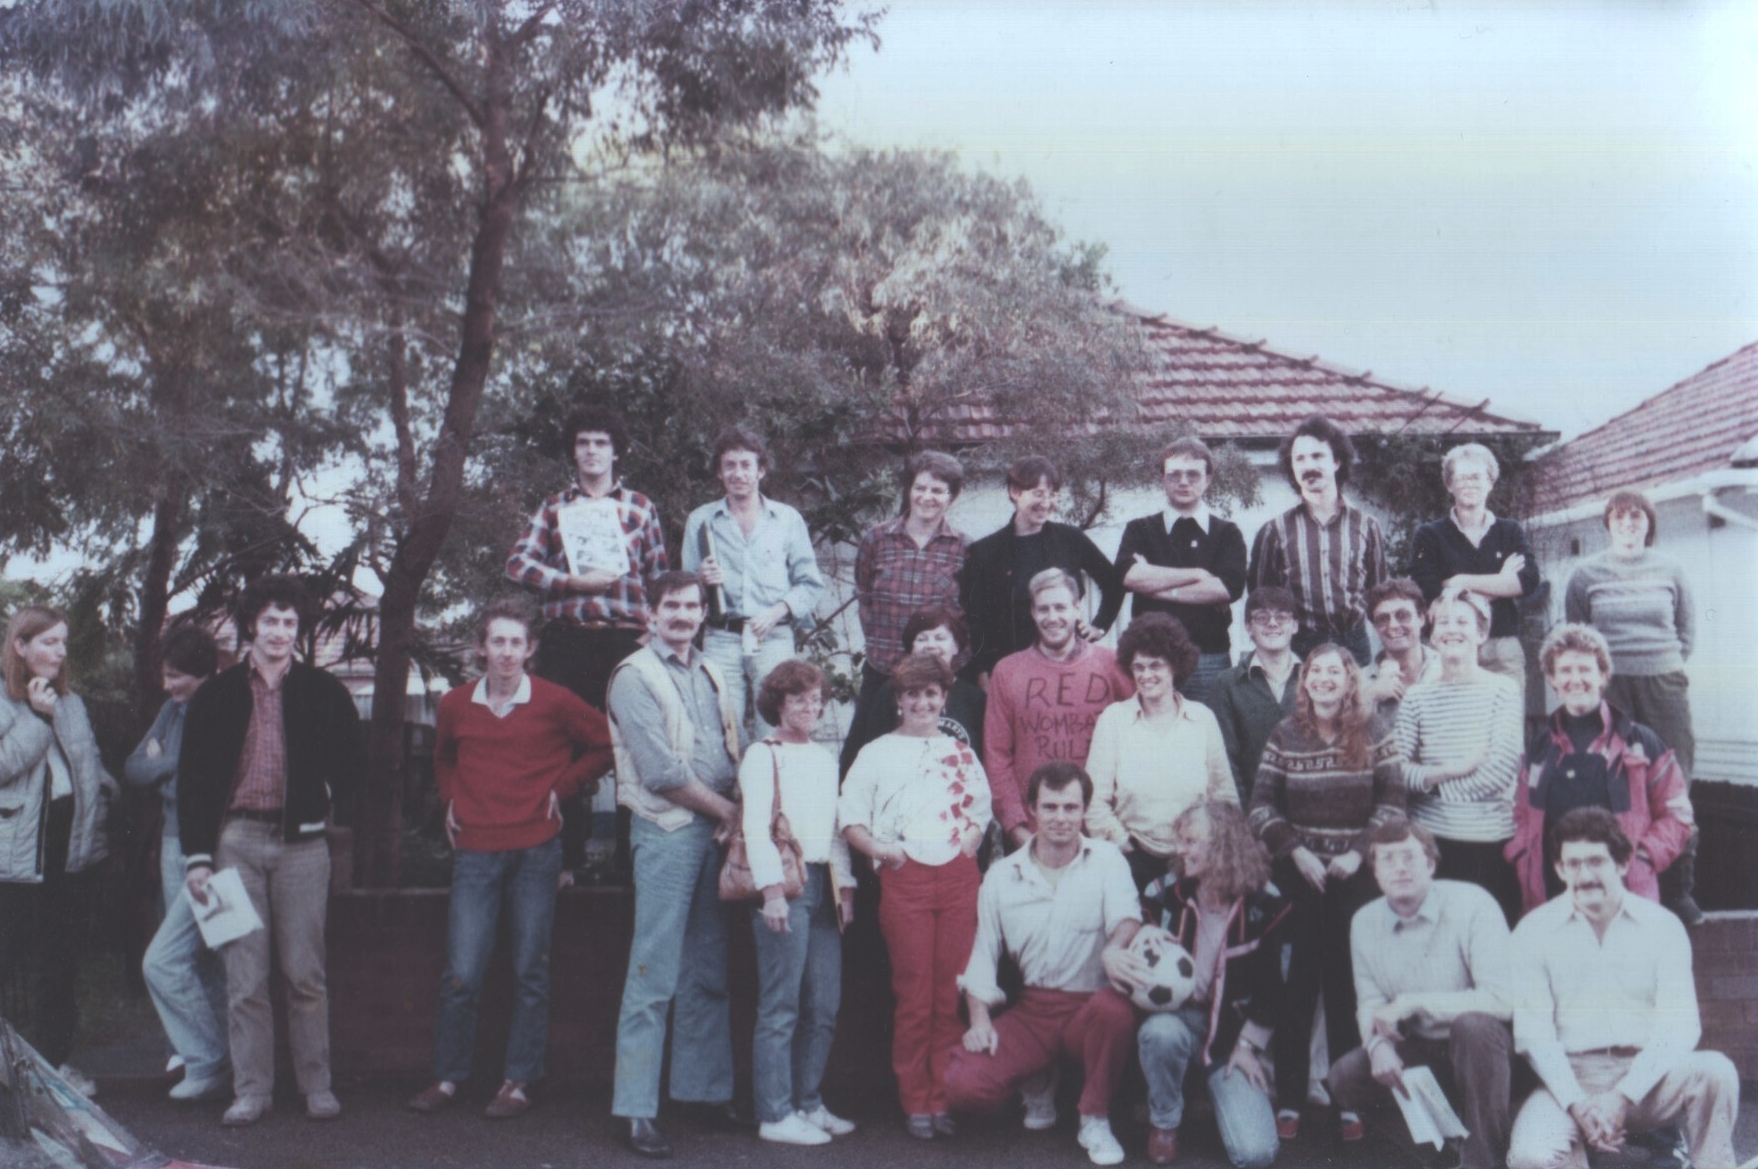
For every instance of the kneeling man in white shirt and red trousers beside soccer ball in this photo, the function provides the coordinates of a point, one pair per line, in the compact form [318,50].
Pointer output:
[1066,910]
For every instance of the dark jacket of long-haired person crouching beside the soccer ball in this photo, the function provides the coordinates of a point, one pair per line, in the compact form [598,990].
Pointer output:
[1249,985]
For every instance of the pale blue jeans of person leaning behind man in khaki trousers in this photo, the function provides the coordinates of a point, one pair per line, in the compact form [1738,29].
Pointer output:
[187,980]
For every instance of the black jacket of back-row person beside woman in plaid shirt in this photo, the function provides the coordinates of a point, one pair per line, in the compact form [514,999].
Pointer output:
[1001,625]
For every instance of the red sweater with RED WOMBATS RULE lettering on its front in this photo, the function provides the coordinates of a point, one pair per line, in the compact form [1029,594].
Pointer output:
[1042,711]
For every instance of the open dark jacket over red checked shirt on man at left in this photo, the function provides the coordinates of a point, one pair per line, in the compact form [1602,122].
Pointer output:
[324,753]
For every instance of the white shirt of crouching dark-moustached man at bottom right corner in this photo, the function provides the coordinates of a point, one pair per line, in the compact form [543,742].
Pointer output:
[1583,994]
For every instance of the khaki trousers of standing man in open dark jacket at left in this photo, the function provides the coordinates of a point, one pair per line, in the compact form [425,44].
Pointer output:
[289,885]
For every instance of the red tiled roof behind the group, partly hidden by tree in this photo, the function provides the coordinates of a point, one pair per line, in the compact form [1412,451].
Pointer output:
[1246,391]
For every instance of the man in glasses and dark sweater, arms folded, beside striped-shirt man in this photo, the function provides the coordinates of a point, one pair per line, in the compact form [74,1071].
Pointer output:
[1186,562]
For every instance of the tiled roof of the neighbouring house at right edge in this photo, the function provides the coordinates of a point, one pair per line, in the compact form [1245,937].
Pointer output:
[1692,428]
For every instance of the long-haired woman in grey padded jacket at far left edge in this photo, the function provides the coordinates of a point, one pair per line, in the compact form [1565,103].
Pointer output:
[55,797]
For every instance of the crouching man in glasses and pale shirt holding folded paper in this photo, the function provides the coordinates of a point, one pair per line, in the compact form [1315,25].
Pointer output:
[1432,968]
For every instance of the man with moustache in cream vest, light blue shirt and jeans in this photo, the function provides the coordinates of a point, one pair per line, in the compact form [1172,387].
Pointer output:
[676,739]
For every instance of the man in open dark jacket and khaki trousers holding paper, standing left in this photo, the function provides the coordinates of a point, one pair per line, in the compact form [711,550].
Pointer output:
[268,746]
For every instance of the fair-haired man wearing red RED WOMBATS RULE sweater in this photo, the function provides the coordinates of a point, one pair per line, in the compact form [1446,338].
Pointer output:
[1043,701]
